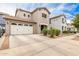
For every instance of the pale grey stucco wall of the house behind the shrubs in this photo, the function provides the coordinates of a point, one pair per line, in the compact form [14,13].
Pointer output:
[57,23]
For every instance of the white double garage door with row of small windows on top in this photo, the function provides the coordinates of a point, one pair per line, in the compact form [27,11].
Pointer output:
[21,28]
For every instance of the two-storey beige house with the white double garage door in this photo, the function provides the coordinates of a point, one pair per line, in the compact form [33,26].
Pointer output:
[25,22]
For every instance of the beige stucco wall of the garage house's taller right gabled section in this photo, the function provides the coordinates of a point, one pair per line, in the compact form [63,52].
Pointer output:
[37,17]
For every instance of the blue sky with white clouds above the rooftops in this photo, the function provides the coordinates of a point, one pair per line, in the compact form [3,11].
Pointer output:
[69,9]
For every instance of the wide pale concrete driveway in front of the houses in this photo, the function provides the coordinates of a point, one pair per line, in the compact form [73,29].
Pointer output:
[40,45]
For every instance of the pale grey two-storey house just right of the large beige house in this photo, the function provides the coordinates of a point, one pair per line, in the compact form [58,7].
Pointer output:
[59,22]
